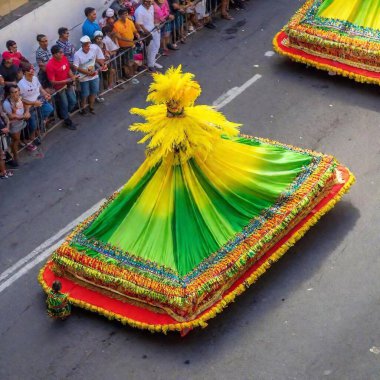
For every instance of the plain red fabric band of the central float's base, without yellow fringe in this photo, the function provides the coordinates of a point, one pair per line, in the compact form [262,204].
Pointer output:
[142,315]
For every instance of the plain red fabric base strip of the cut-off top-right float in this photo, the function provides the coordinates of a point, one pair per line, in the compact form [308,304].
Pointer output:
[325,61]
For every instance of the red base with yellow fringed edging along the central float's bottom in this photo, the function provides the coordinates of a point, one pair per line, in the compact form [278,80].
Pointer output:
[143,318]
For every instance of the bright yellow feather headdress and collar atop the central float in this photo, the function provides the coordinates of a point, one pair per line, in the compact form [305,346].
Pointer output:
[193,133]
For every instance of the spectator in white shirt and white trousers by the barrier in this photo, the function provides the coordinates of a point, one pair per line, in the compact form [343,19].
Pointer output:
[144,16]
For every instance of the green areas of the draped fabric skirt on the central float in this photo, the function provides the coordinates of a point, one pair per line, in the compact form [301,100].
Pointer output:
[196,231]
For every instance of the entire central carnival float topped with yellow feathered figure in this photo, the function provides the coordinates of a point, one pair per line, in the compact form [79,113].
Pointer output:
[205,215]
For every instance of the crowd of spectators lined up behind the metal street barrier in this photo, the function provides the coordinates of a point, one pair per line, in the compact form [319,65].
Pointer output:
[132,30]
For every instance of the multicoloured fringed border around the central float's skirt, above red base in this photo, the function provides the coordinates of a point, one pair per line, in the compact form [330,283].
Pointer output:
[187,297]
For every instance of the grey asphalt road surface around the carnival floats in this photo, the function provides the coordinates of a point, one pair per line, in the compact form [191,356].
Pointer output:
[314,315]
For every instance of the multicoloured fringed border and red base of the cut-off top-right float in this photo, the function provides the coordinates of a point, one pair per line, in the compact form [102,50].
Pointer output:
[352,52]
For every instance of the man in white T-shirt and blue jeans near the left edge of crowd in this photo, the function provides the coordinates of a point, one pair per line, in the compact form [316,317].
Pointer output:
[34,95]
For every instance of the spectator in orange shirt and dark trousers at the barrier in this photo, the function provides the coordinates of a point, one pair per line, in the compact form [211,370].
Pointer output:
[125,32]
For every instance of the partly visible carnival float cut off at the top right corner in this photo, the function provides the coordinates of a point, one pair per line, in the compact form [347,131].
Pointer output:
[336,35]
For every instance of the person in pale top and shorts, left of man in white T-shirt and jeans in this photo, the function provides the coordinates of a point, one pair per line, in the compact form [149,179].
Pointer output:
[18,114]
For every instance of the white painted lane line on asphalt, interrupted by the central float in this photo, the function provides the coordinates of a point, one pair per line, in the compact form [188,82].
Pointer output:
[43,251]
